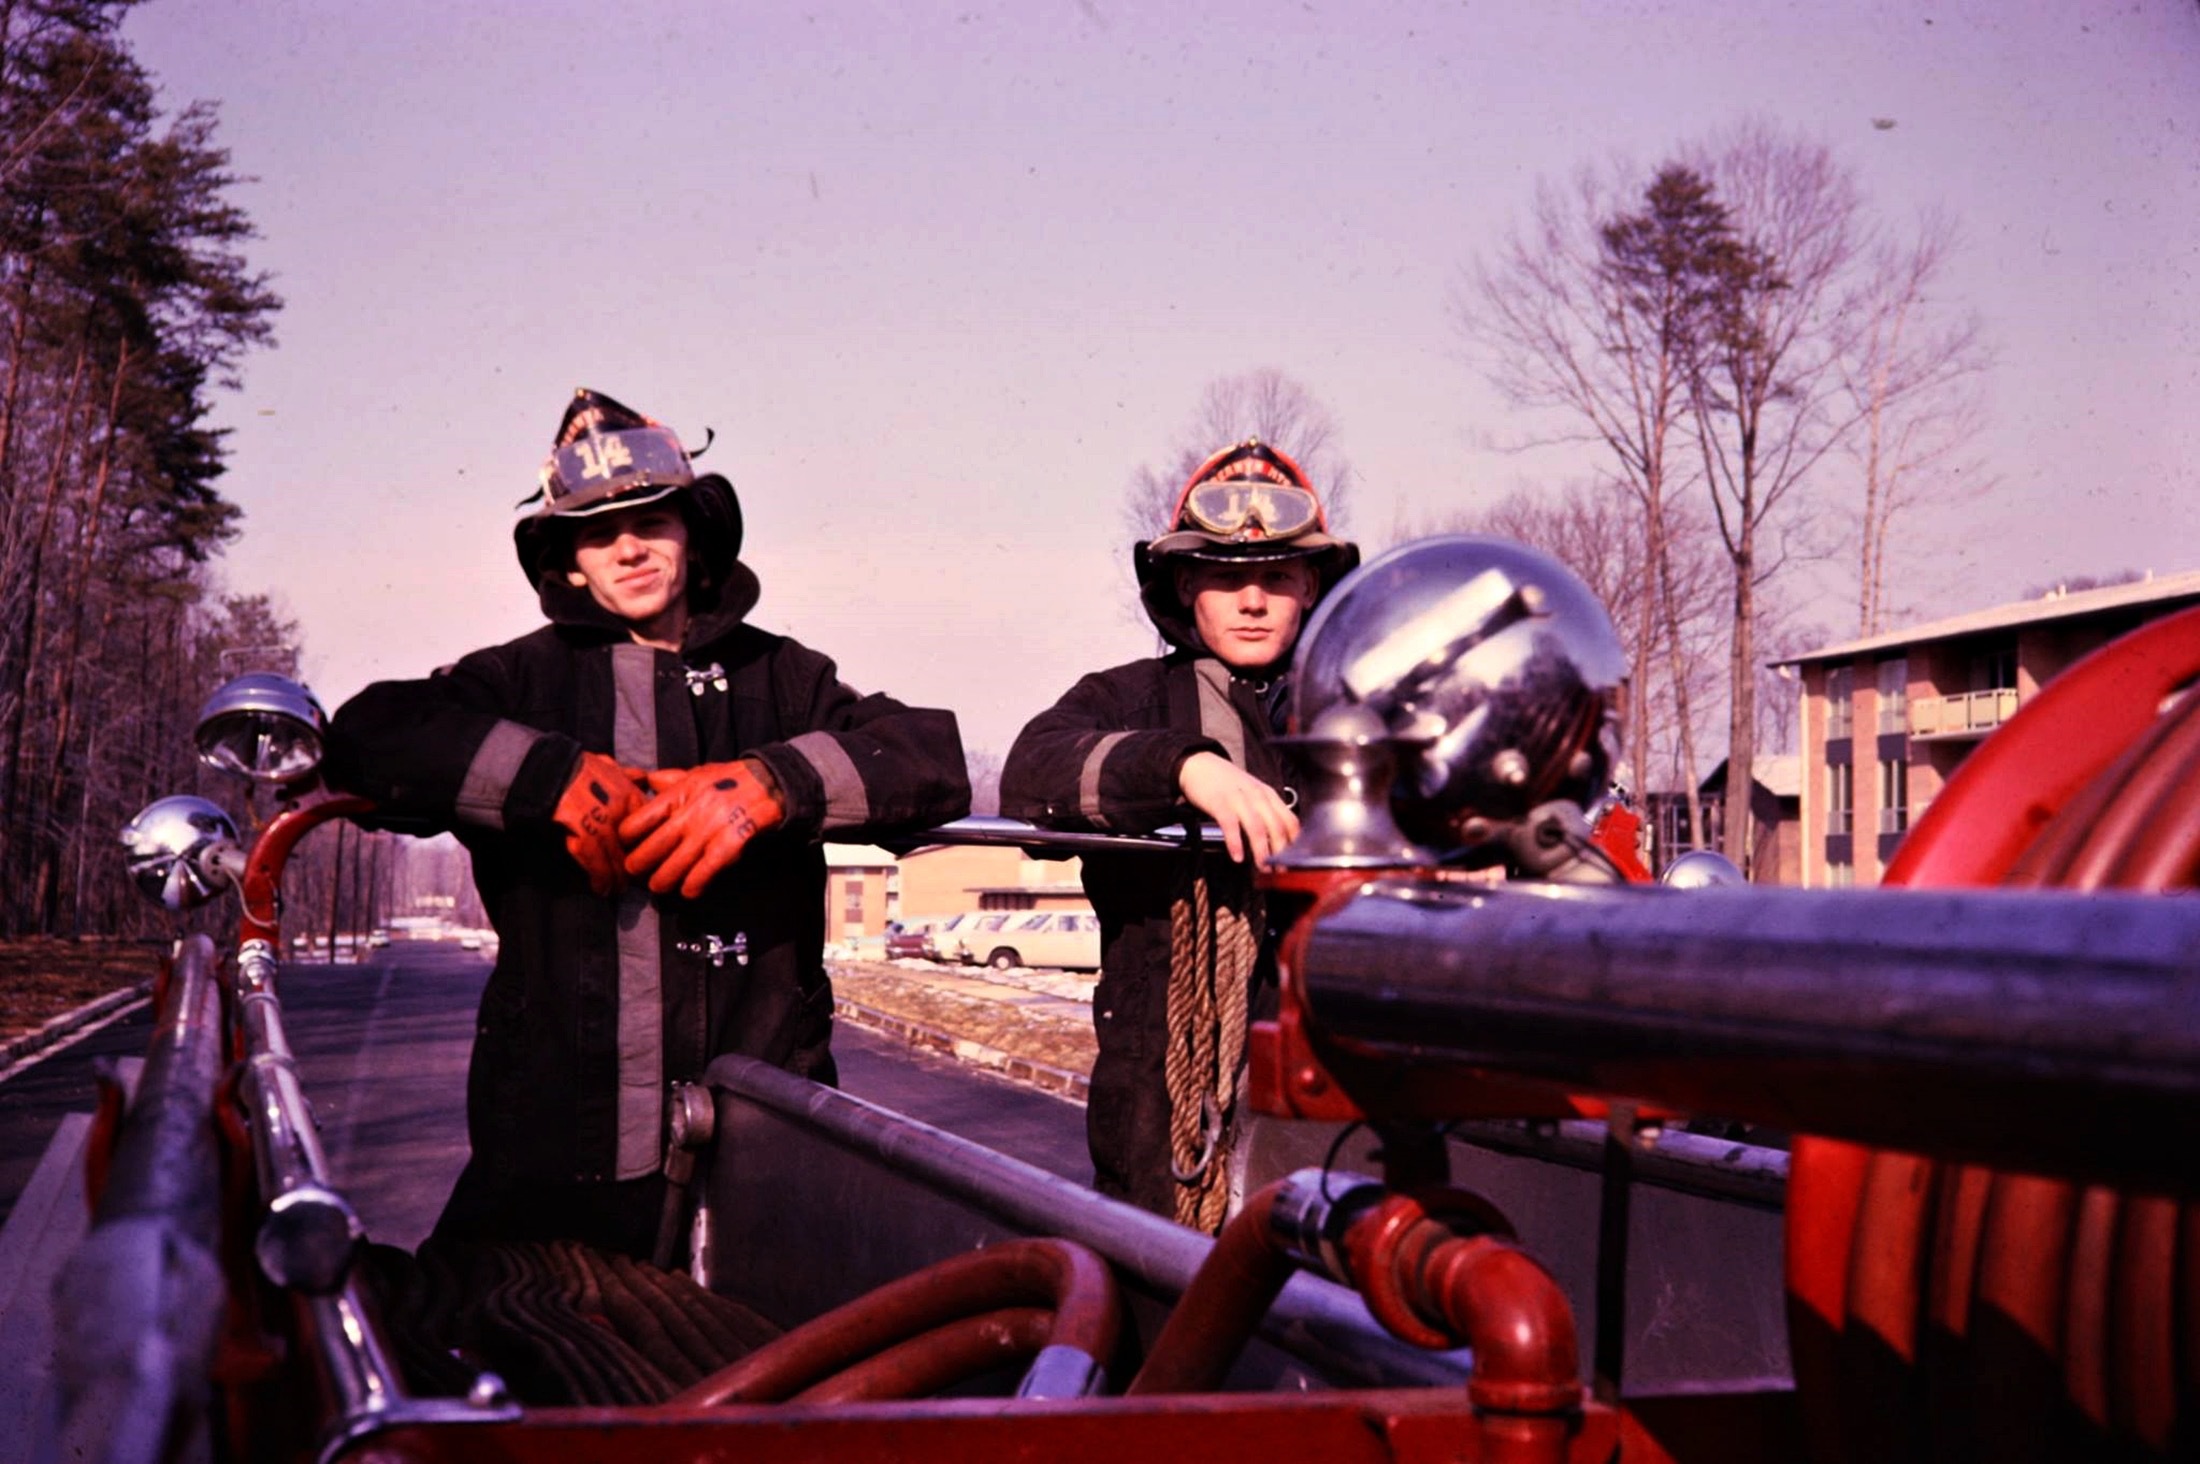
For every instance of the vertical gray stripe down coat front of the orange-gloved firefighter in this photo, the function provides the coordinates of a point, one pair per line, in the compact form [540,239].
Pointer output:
[641,972]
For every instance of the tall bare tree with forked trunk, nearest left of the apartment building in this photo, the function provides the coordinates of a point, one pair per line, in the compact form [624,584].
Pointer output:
[1768,395]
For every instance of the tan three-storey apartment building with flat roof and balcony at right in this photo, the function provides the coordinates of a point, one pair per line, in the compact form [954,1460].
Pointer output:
[1886,721]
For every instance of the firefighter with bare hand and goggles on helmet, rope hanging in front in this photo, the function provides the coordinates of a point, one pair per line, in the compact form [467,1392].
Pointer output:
[1143,745]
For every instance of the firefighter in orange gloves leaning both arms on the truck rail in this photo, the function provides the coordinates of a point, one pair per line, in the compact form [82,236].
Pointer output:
[643,787]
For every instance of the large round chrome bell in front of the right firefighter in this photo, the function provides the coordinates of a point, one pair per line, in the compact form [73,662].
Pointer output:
[1490,662]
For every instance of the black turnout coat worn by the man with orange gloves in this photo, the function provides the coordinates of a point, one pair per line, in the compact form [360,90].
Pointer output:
[597,1005]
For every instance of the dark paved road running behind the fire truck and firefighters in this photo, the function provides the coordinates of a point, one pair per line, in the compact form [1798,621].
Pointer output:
[384,1058]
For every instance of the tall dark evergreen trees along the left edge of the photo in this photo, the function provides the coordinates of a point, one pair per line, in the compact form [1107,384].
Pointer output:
[126,303]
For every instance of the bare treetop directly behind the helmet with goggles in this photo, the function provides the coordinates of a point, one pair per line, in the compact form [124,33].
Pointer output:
[1259,404]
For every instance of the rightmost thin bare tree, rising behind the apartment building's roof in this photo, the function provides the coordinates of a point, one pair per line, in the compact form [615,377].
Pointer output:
[1915,384]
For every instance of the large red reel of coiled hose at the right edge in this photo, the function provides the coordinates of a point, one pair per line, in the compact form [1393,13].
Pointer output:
[1948,1309]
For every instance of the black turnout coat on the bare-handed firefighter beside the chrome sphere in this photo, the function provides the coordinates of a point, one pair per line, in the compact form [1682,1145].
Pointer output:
[1108,758]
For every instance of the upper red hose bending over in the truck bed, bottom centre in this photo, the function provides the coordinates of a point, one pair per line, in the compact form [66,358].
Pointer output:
[1064,1276]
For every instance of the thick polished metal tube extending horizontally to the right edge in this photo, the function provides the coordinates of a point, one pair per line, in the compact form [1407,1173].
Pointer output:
[2045,1031]
